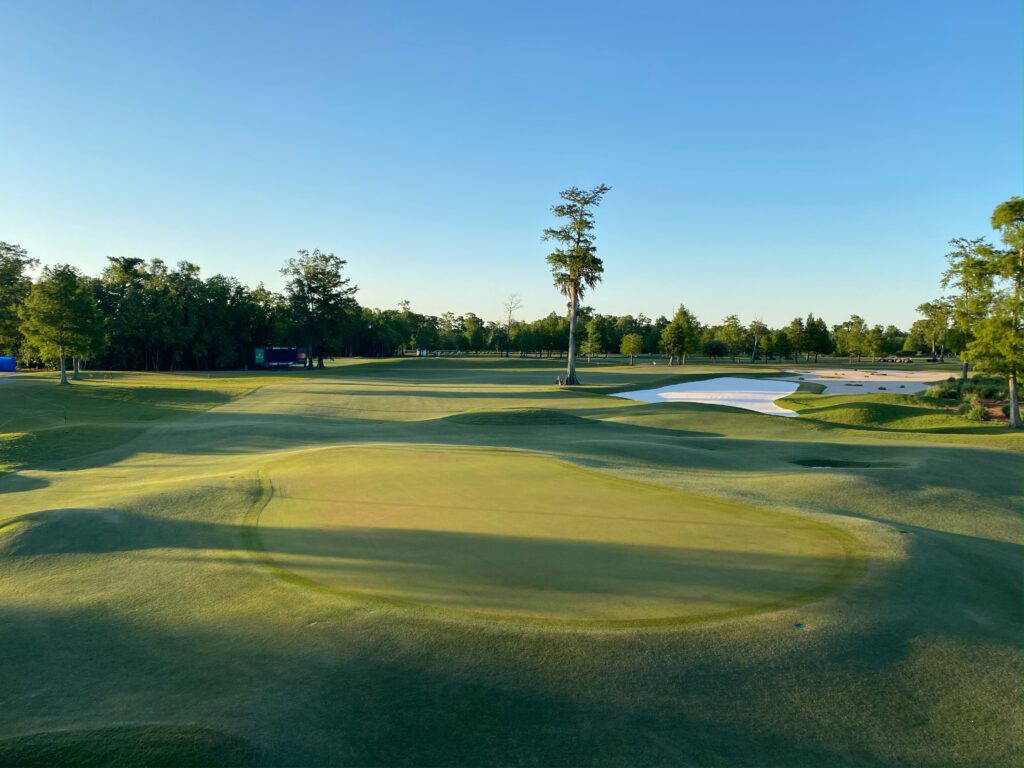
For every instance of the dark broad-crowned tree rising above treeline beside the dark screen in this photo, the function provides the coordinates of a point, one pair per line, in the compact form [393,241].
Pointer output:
[320,300]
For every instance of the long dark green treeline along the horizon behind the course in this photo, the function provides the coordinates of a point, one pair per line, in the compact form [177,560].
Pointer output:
[147,316]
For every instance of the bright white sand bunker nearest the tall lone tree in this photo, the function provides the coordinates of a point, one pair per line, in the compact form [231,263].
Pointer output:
[752,395]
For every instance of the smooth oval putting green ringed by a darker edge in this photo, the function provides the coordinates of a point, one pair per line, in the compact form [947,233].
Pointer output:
[519,537]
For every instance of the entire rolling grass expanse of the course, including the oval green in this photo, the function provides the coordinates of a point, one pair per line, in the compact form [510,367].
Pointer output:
[454,563]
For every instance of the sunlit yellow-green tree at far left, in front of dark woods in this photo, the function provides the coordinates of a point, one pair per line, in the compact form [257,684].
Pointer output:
[60,317]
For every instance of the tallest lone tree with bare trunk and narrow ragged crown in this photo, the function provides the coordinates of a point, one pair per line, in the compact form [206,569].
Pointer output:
[575,265]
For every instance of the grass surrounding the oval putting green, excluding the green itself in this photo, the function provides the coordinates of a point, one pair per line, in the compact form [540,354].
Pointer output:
[131,599]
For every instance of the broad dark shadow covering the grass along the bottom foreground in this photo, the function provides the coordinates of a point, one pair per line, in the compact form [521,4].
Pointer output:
[360,699]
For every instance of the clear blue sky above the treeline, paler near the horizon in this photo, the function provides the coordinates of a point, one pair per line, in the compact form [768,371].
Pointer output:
[766,159]
